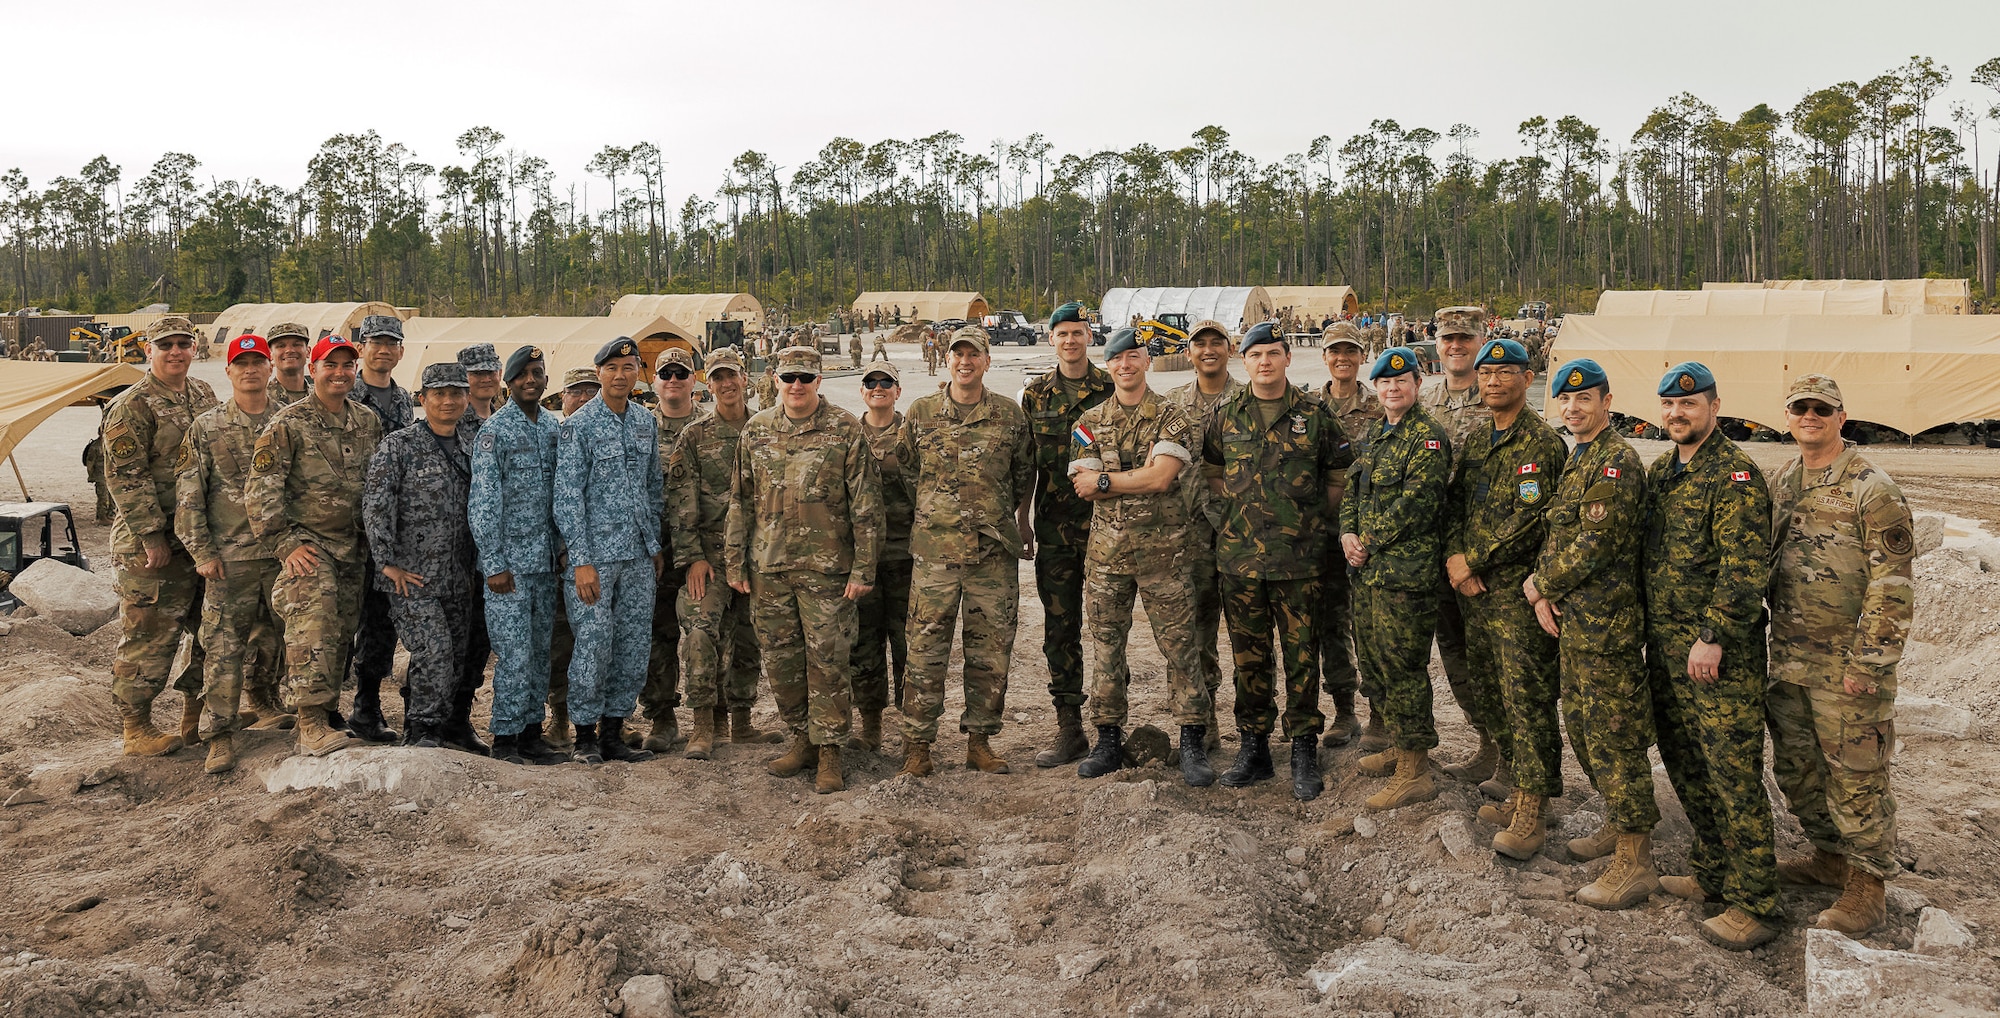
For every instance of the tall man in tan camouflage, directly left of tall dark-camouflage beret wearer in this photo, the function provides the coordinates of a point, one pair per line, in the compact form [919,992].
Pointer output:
[975,473]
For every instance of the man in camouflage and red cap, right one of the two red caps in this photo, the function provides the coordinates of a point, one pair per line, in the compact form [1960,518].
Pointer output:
[305,499]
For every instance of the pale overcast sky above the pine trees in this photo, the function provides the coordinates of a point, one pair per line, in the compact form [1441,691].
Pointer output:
[253,89]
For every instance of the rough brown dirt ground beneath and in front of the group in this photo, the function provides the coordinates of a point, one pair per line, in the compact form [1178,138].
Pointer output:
[389,881]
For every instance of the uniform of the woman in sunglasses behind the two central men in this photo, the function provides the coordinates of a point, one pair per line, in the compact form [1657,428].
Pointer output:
[885,611]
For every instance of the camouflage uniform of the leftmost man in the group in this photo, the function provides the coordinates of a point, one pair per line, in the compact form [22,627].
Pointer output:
[143,433]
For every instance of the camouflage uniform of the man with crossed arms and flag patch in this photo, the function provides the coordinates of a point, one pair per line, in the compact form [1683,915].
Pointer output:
[1139,549]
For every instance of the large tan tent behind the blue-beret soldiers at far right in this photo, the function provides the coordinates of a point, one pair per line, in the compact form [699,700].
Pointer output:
[1905,371]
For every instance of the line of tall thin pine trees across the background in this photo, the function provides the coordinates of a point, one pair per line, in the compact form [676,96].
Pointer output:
[1849,181]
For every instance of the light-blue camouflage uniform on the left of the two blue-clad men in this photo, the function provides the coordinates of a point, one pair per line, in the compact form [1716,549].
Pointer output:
[515,531]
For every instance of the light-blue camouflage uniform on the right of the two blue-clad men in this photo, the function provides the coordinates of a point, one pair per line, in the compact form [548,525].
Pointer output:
[609,513]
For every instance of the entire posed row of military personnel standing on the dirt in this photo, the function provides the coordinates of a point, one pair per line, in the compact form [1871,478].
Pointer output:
[311,523]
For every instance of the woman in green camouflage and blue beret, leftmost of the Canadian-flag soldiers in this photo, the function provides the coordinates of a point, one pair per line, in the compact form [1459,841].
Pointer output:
[1393,539]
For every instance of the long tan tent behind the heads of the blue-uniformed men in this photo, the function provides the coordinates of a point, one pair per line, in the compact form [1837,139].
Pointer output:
[567,343]
